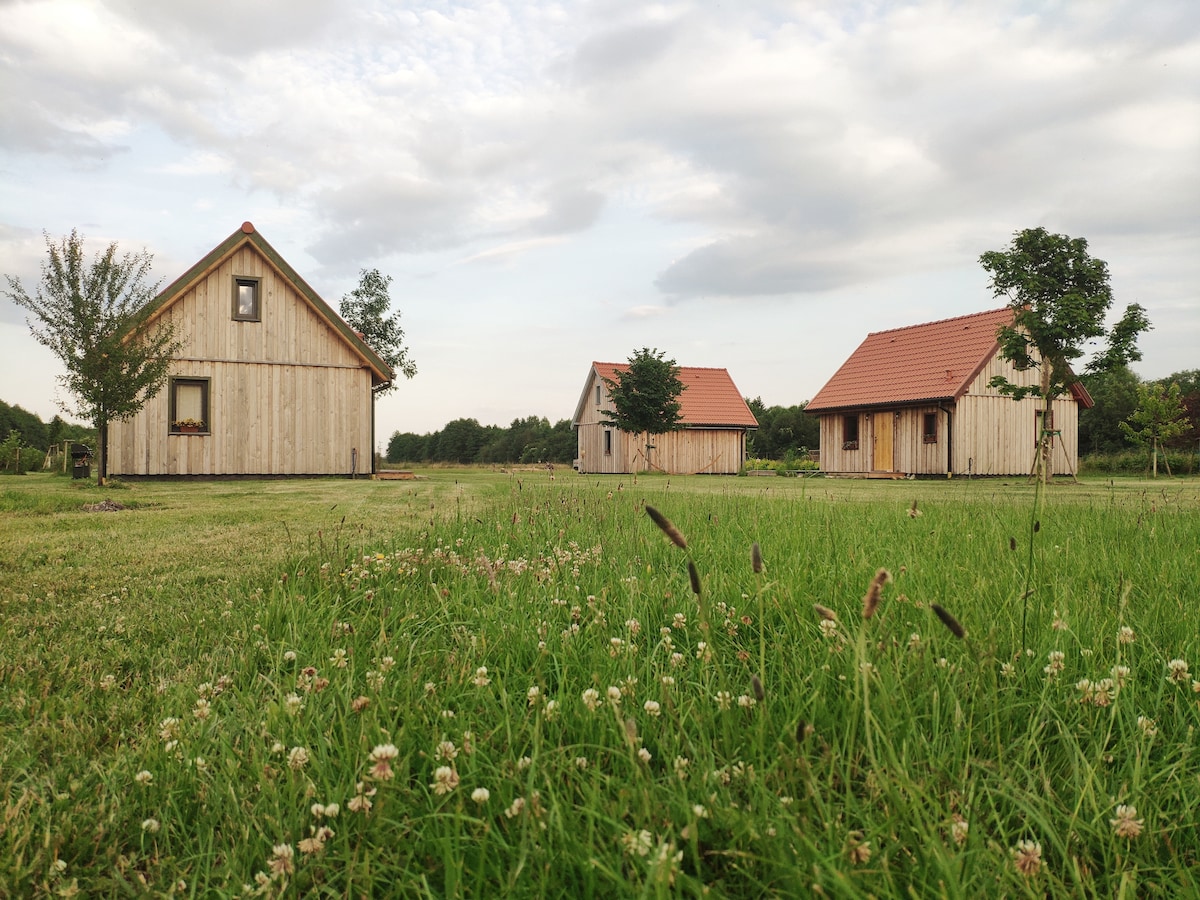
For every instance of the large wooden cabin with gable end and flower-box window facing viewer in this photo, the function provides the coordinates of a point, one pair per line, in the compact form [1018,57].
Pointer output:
[269,380]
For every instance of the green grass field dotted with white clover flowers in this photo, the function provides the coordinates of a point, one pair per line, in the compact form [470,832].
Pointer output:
[484,685]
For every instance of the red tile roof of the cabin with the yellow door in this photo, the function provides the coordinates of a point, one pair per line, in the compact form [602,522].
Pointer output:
[920,363]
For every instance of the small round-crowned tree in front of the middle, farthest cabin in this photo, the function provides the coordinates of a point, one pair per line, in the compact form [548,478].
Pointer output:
[646,397]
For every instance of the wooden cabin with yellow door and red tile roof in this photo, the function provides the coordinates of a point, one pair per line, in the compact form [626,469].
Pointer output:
[917,401]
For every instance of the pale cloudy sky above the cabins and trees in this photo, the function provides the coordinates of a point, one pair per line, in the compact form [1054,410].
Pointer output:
[751,185]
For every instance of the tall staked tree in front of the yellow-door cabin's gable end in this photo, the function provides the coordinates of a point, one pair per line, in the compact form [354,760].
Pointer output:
[1060,297]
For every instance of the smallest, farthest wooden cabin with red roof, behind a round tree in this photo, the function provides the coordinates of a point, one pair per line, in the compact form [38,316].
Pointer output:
[713,441]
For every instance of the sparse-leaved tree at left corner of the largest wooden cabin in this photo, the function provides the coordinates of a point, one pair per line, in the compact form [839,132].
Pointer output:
[94,317]
